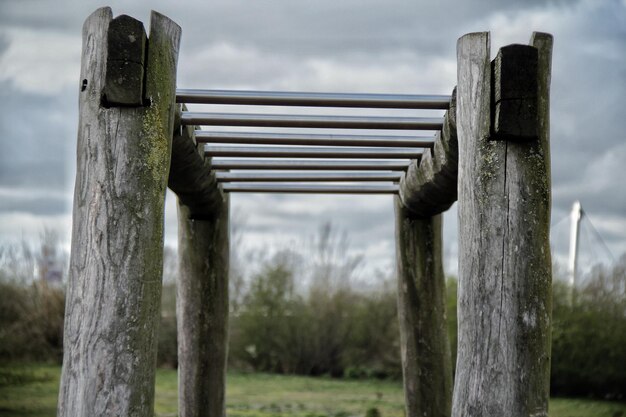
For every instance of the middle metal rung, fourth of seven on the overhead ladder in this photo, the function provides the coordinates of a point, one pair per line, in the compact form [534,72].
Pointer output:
[311,152]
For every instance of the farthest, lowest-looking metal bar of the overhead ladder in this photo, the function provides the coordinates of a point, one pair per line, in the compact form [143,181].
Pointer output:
[311,188]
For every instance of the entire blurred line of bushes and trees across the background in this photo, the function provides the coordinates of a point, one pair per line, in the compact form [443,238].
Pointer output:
[306,312]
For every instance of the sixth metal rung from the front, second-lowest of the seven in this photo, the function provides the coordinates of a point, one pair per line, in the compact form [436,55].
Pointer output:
[308,176]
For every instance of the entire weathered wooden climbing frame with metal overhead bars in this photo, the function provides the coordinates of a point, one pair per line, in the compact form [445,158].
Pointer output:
[490,149]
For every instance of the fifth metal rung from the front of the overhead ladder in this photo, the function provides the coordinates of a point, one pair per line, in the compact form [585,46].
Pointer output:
[285,164]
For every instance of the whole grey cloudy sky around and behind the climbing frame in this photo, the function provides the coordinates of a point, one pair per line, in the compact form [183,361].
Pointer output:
[402,46]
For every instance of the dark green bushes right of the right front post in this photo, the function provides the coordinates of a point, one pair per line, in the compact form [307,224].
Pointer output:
[589,336]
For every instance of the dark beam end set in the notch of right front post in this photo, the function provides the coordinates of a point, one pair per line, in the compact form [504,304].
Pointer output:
[514,100]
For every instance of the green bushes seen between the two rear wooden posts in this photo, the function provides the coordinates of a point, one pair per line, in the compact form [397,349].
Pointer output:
[322,330]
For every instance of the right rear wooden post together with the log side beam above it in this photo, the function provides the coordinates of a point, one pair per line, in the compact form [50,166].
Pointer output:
[428,189]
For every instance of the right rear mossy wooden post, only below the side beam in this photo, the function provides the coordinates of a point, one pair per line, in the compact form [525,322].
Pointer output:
[425,349]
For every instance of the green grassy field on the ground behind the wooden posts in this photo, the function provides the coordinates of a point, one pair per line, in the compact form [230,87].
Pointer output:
[31,391]
